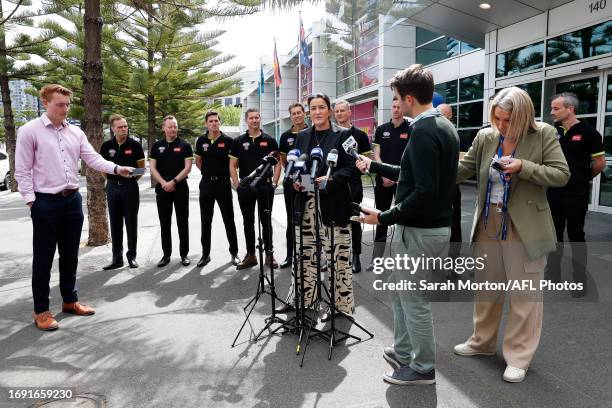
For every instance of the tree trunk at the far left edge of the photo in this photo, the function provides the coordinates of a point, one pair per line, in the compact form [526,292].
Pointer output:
[9,121]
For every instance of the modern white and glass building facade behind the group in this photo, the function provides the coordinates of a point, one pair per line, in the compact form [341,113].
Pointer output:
[473,49]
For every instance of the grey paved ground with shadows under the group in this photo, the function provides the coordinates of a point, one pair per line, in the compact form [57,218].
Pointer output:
[161,337]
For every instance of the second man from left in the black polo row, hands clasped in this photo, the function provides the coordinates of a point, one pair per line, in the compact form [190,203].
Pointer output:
[170,161]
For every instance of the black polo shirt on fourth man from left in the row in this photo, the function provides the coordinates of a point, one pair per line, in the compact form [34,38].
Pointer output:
[249,151]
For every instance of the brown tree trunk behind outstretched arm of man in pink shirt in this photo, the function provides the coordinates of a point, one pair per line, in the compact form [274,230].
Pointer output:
[92,120]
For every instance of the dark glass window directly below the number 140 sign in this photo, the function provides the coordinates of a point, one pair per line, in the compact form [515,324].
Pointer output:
[588,42]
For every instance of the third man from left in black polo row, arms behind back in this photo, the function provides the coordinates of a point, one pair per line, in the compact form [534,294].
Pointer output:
[212,158]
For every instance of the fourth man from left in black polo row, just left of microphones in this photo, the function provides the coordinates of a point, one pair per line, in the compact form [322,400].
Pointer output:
[247,153]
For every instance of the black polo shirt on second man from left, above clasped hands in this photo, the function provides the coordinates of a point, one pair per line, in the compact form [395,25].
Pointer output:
[170,157]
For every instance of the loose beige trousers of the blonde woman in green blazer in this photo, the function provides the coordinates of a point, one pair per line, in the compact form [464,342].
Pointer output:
[507,261]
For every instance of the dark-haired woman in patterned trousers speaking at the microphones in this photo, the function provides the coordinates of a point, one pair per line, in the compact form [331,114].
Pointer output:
[334,206]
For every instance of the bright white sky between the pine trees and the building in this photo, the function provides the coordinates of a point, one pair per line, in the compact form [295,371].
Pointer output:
[252,37]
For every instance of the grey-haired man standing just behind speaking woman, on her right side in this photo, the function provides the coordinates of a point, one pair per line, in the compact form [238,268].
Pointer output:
[342,114]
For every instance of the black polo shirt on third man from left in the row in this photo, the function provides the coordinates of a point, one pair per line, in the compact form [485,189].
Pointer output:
[214,154]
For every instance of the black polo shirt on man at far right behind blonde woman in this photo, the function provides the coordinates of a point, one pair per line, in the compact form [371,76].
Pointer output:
[580,144]
